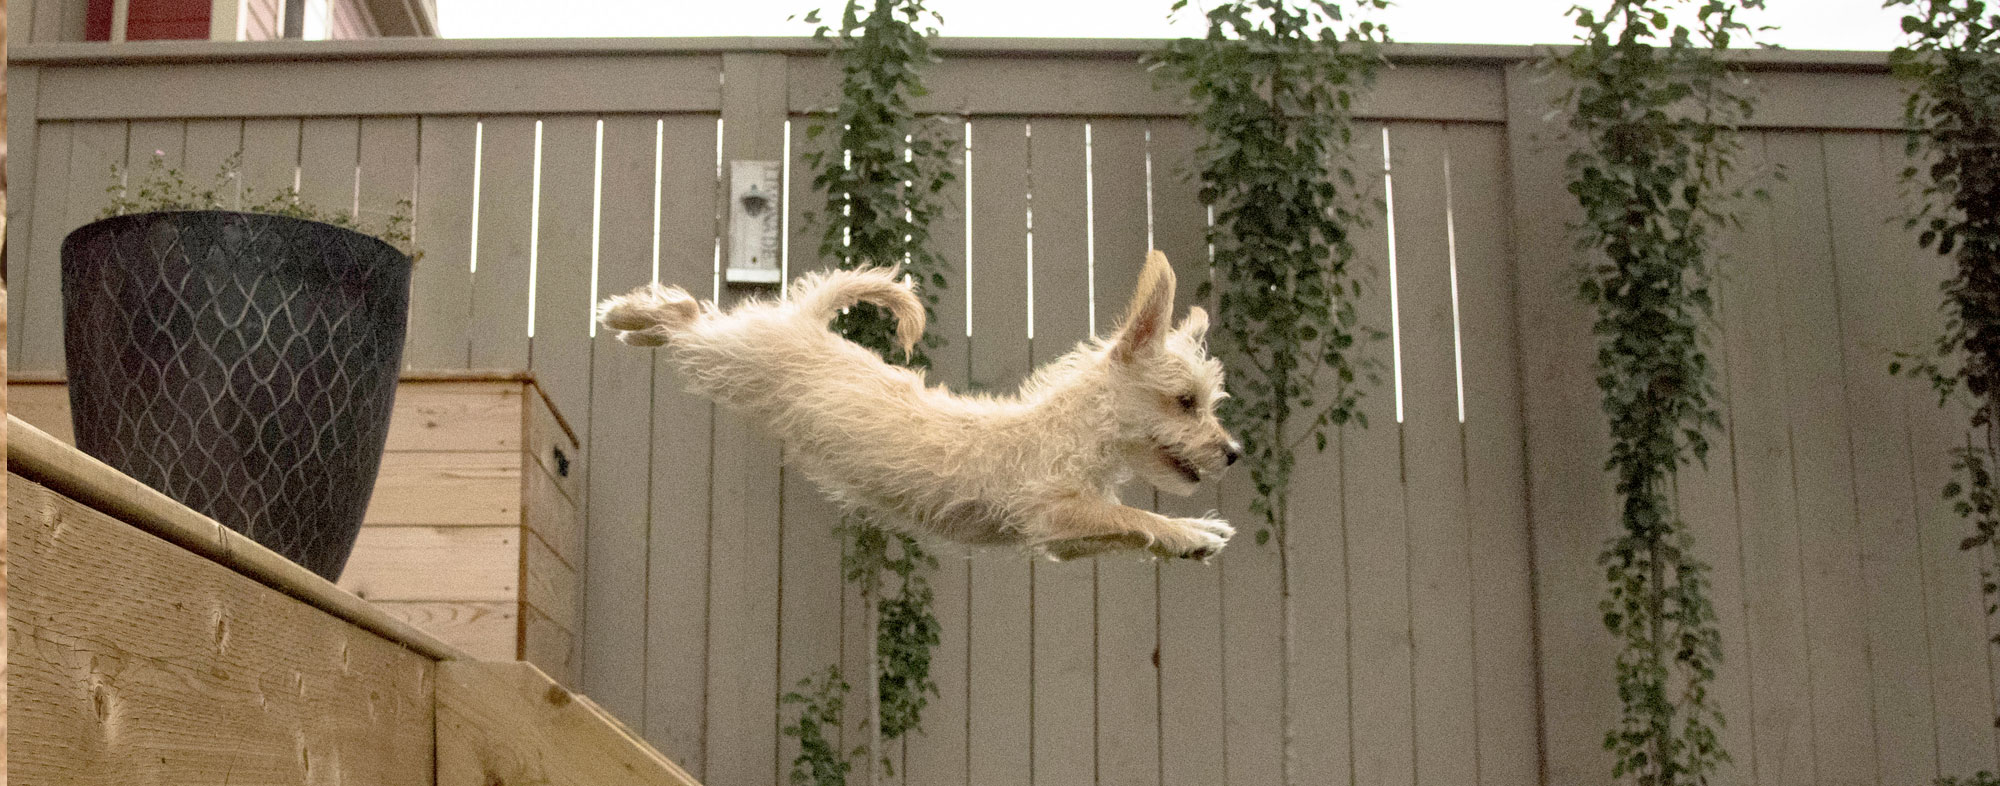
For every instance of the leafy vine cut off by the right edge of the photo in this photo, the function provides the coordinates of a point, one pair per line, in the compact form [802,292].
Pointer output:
[1953,119]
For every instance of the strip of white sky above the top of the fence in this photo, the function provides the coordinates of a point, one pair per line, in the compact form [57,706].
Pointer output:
[1803,25]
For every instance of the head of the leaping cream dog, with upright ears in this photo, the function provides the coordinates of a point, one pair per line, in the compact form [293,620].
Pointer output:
[1167,389]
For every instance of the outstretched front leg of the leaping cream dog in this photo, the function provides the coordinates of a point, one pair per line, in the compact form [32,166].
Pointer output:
[1093,527]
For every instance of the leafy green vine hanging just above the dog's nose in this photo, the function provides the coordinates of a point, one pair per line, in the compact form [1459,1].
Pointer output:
[1273,87]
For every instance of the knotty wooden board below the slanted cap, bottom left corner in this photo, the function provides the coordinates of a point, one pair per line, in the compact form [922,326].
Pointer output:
[135,661]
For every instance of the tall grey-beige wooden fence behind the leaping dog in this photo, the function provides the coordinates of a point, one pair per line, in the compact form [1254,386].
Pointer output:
[1433,617]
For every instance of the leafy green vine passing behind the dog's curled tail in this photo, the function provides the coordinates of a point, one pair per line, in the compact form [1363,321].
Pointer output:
[883,173]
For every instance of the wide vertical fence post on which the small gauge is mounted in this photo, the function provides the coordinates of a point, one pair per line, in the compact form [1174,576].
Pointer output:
[743,593]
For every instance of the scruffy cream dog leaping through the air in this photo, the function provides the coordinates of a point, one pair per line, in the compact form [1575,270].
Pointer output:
[1037,469]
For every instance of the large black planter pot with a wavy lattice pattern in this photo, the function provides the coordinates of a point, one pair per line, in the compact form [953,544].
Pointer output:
[243,365]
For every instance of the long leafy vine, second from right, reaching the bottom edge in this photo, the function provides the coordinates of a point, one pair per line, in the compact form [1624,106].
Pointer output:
[1655,113]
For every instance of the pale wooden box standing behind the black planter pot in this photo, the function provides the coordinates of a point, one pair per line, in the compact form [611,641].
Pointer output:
[473,531]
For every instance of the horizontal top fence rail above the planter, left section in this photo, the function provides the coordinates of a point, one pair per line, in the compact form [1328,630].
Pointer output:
[565,85]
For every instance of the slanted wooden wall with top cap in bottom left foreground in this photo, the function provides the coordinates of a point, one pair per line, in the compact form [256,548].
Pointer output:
[149,645]
